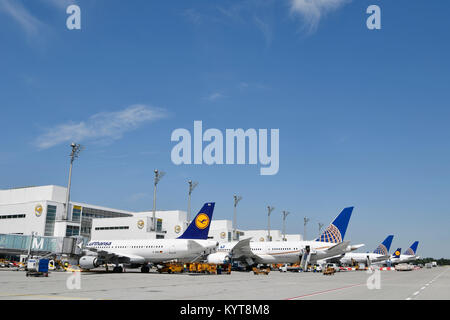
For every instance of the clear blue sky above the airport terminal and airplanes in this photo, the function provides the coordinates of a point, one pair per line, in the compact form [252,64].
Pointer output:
[363,115]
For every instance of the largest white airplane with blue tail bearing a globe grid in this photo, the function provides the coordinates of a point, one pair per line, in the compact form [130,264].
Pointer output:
[330,243]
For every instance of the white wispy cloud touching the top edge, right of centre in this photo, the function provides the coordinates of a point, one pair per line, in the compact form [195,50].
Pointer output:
[312,11]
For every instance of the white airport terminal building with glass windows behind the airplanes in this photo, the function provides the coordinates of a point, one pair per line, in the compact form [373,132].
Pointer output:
[41,211]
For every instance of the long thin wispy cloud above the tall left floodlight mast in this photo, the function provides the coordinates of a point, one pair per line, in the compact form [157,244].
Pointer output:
[101,126]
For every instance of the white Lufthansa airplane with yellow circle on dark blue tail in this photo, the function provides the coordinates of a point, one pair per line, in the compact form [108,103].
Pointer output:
[190,246]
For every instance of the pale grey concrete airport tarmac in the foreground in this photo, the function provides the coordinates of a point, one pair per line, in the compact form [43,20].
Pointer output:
[407,285]
